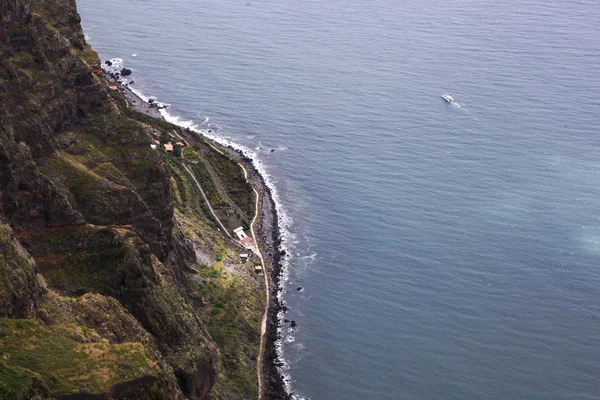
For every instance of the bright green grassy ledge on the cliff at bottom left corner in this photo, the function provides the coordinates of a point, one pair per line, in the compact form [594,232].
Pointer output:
[67,358]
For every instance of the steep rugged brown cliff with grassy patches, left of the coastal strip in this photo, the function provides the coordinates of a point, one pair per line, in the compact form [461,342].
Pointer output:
[95,300]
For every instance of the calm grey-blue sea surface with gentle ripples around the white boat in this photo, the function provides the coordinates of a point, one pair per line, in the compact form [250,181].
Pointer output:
[447,251]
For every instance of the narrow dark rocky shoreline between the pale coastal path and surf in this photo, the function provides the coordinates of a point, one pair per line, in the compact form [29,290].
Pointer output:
[269,235]
